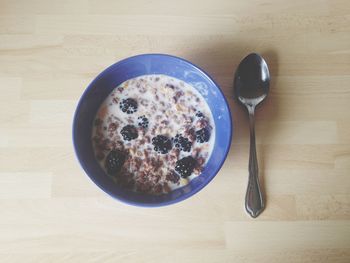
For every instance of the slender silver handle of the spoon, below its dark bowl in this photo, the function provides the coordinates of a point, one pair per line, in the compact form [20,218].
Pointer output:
[254,203]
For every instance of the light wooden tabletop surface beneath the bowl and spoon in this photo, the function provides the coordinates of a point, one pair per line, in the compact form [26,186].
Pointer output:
[51,211]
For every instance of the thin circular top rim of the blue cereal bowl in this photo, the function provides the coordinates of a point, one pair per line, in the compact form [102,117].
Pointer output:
[181,197]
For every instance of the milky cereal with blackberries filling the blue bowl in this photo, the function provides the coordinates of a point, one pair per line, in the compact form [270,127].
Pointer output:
[153,134]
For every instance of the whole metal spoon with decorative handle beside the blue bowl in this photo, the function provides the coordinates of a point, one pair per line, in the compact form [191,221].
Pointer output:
[252,81]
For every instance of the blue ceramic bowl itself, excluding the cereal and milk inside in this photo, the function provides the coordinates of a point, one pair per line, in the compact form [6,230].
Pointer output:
[132,67]
